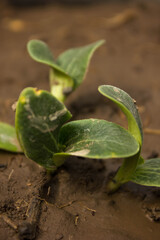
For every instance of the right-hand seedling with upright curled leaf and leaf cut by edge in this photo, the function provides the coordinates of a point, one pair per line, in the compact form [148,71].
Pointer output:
[134,168]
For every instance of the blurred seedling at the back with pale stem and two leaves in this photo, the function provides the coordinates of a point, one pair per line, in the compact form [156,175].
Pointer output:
[68,70]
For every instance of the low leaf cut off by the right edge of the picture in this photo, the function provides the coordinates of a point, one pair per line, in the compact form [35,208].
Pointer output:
[148,174]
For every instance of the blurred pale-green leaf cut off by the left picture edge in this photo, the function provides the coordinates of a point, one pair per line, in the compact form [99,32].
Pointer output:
[8,138]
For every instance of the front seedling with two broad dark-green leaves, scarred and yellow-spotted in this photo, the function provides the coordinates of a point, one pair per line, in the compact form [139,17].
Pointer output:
[46,138]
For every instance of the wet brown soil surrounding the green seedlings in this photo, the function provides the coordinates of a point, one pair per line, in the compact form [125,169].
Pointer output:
[73,203]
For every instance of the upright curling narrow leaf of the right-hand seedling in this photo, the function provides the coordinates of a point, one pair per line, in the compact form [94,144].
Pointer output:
[128,106]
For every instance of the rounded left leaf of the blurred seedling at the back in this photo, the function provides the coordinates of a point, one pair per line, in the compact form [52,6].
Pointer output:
[40,52]
